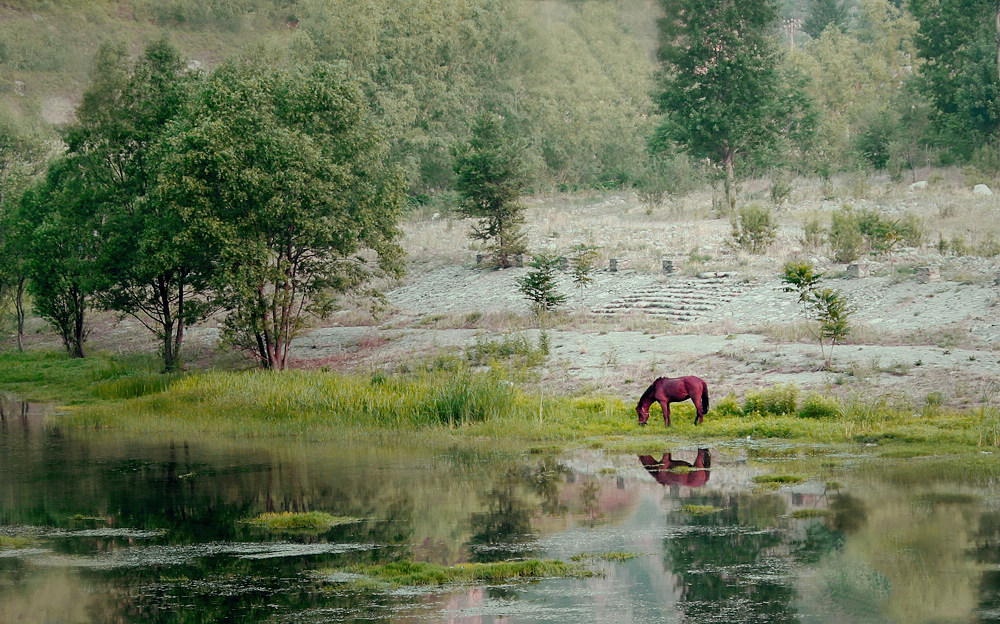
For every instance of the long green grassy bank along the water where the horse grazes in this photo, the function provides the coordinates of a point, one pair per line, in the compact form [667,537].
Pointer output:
[109,393]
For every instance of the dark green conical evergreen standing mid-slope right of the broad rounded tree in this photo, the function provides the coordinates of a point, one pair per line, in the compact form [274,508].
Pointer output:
[491,177]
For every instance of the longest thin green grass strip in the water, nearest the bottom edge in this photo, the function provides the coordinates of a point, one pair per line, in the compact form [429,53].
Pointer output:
[416,573]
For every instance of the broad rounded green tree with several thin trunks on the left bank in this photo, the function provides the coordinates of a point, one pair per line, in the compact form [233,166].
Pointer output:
[282,174]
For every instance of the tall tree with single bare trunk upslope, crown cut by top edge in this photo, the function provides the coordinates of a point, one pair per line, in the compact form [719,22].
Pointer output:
[720,83]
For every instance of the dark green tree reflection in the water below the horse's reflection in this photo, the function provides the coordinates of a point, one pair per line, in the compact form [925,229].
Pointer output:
[726,567]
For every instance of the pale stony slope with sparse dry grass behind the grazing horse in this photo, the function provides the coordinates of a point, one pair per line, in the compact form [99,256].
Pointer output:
[720,314]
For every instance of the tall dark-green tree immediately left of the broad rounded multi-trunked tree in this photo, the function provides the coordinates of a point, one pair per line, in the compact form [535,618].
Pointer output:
[150,267]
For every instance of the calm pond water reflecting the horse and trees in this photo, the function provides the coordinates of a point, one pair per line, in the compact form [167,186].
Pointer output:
[104,530]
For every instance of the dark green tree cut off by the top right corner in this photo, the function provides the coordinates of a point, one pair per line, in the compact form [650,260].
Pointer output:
[960,41]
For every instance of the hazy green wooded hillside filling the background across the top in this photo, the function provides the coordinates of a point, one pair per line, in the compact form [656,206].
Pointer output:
[577,81]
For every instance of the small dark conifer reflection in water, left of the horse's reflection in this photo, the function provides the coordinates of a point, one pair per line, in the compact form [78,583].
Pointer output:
[504,529]
